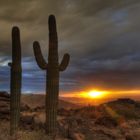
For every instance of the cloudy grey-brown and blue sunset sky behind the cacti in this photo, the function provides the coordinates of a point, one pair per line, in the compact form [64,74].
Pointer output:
[102,37]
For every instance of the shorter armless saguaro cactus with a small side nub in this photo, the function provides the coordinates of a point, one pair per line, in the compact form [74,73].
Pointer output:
[15,81]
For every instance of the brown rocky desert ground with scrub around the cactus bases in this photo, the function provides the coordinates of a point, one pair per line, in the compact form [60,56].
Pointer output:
[116,120]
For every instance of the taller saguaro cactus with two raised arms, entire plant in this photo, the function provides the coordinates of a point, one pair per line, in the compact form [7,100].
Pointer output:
[52,68]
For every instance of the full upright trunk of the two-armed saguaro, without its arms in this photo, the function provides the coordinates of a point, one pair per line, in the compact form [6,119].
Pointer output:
[52,79]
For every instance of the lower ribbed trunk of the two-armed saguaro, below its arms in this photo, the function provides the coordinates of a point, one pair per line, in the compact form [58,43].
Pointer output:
[52,100]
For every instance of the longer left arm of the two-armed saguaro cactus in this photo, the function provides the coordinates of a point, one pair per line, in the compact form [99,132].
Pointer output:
[38,56]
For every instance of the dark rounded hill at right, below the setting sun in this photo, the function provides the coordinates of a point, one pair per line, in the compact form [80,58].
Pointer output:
[123,107]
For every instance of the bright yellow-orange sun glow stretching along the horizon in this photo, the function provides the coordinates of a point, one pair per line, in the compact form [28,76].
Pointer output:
[99,96]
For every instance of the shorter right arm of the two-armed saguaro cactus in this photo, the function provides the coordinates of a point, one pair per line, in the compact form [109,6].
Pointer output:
[64,62]
